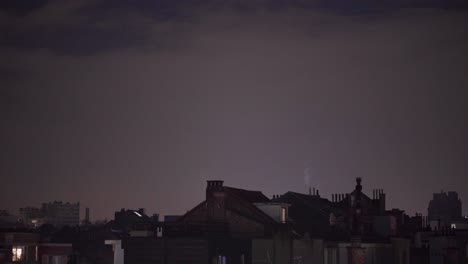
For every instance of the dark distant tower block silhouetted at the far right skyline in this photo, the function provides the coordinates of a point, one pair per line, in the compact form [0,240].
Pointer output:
[444,208]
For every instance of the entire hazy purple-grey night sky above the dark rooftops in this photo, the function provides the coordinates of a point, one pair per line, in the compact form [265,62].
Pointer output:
[132,104]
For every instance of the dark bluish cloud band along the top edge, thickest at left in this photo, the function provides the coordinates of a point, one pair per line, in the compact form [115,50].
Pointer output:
[87,27]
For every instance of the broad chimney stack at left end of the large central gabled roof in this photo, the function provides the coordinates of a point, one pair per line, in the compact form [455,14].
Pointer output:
[215,199]
